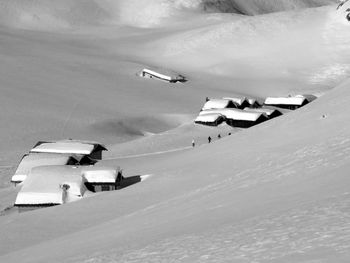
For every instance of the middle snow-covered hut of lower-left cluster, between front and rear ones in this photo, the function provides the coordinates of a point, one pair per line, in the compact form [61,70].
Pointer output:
[29,161]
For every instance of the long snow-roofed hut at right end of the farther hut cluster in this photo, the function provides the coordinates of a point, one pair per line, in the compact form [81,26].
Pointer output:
[290,103]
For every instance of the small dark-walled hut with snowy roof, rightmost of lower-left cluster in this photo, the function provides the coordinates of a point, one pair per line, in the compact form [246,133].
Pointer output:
[100,178]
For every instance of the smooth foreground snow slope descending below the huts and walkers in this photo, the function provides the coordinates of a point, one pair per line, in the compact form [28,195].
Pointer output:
[266,198]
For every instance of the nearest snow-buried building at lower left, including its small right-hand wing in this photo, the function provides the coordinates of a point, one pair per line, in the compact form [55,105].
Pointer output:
[59,184]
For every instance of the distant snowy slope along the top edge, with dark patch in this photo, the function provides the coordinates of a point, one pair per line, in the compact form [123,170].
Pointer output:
[64,14]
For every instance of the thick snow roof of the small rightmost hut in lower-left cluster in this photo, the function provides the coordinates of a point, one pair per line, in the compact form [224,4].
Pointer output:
[99,174]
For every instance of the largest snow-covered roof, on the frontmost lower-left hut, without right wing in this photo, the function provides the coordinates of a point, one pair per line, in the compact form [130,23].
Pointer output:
[43,185]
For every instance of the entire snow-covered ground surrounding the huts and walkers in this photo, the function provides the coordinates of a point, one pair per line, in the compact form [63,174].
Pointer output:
[276,192]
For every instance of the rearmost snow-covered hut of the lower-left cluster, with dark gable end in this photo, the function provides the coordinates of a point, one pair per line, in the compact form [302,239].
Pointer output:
[93,150]
